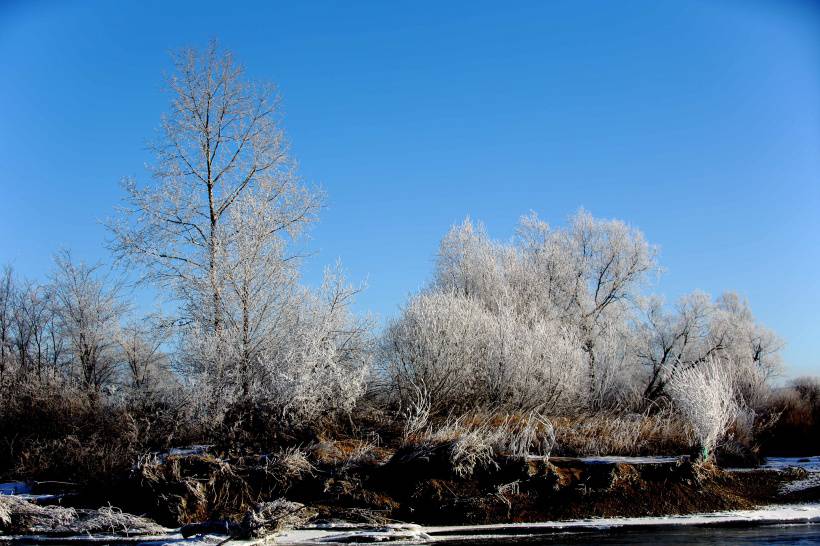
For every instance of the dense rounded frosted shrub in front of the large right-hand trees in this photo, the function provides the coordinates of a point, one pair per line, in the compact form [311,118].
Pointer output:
[465,356]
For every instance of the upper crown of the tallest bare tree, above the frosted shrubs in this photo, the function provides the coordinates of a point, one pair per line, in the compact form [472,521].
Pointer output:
[221,148]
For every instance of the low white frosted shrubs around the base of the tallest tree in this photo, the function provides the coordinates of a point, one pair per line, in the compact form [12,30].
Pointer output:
[314,363]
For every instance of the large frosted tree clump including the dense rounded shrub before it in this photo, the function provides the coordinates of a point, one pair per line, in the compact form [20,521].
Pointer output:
[527,323]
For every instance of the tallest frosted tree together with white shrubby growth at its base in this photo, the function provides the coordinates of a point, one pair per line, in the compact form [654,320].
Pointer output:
[218,227]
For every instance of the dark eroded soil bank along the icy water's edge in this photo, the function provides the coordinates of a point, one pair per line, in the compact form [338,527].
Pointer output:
[424,487]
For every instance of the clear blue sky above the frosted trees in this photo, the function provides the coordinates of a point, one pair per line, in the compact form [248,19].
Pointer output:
[698,122]
